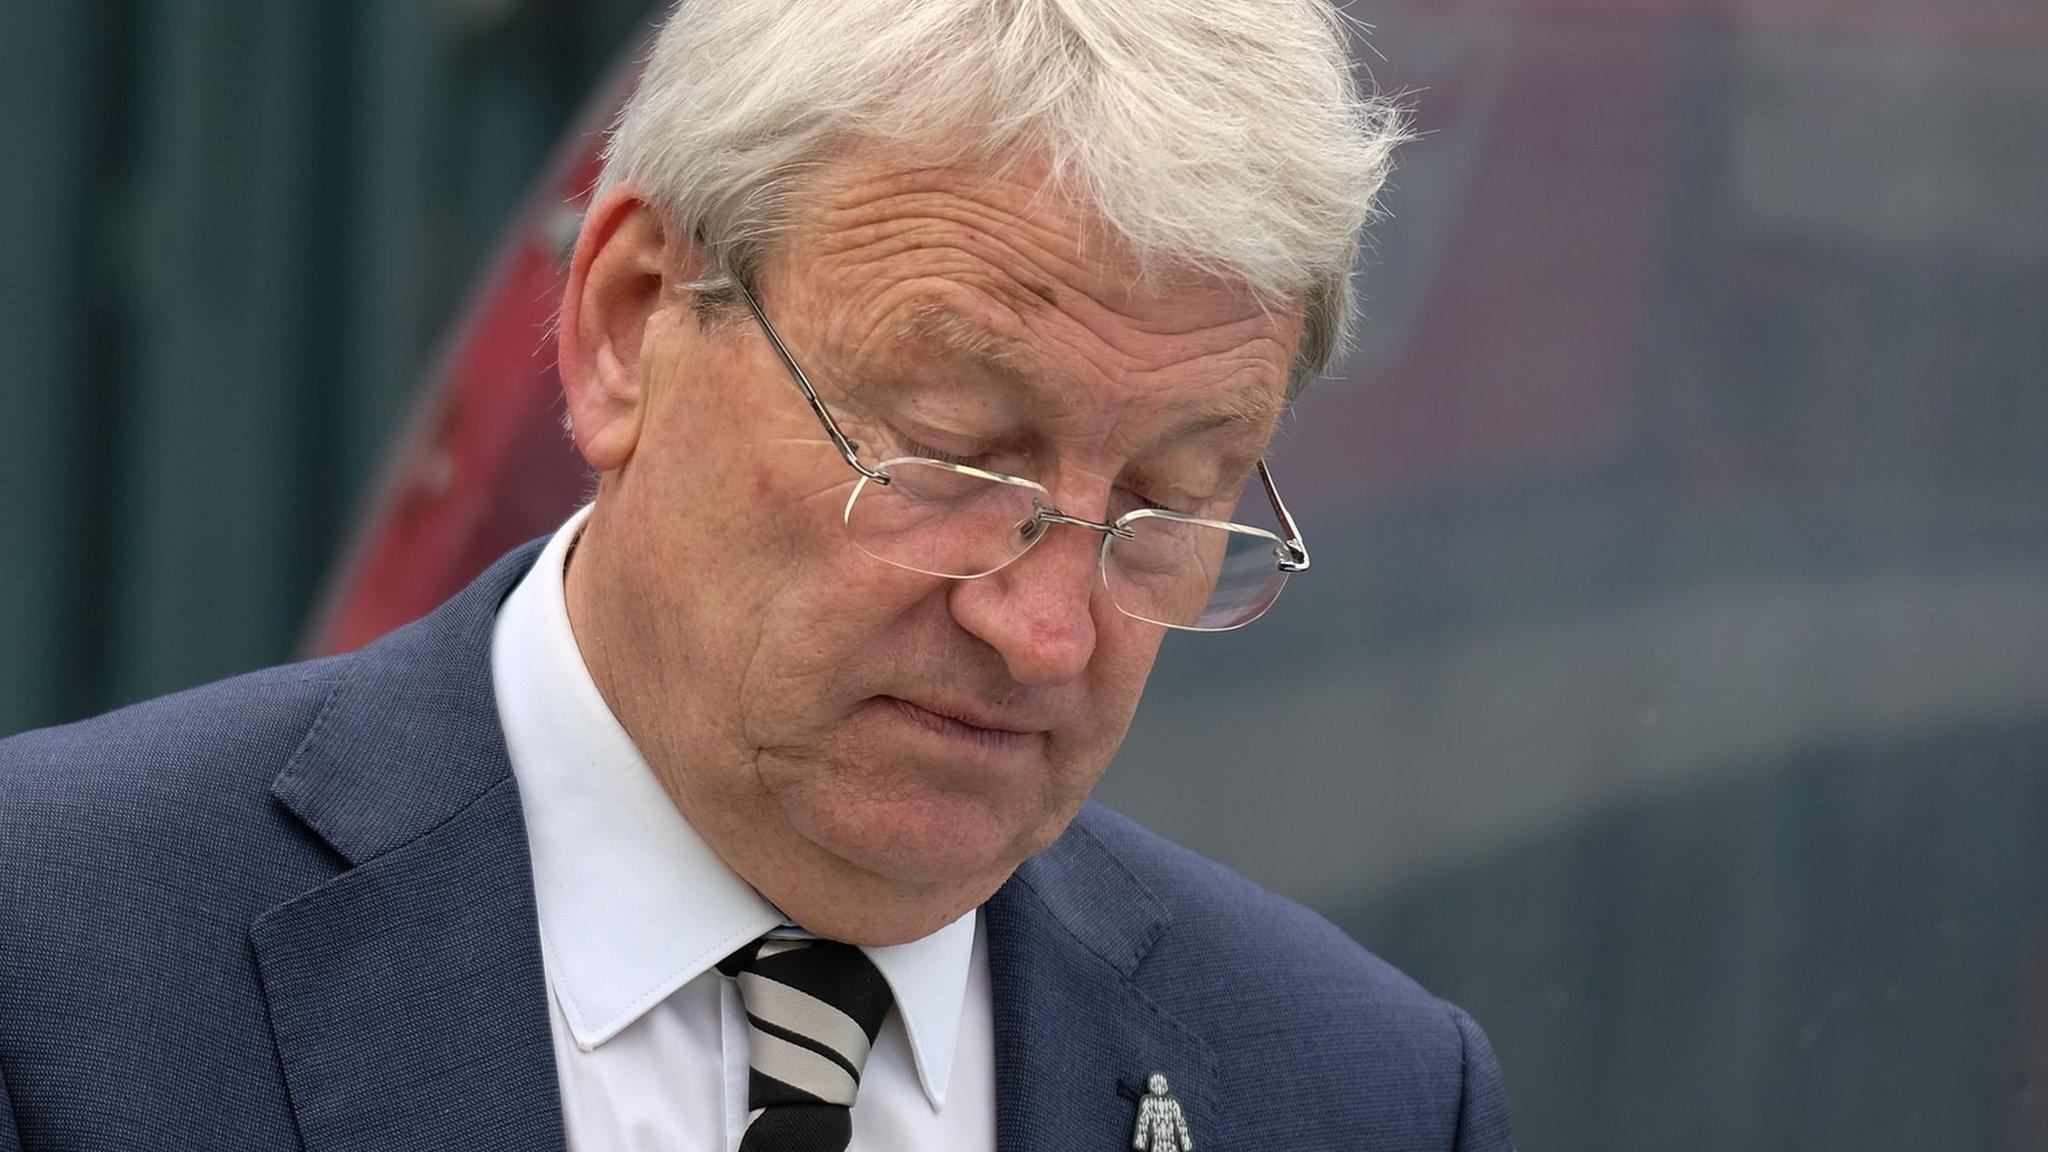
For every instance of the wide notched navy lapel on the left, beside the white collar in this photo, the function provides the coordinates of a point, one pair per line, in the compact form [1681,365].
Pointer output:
[407,995]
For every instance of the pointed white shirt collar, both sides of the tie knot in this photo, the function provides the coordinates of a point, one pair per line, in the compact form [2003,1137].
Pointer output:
[634,905]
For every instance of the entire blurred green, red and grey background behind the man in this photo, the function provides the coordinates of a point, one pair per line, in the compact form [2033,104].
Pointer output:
[1672,684]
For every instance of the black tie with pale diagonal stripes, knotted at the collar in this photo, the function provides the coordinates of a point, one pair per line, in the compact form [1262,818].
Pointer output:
[814,1012]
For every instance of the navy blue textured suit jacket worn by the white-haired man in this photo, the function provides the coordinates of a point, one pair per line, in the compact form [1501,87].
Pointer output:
[296,911]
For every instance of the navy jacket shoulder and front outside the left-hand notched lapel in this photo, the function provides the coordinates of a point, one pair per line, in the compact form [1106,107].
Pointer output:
[136,850]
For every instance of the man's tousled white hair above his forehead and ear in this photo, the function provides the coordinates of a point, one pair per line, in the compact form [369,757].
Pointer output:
[1218,136]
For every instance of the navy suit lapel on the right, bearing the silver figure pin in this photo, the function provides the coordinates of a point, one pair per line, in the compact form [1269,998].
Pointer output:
[1074,1034]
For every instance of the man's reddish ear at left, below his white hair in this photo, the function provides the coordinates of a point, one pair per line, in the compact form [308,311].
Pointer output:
[615,288]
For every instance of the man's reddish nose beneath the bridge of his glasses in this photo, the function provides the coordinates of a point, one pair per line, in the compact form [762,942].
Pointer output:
[1037,614]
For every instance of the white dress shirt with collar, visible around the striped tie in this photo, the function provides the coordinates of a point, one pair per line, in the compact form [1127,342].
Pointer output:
[636,911]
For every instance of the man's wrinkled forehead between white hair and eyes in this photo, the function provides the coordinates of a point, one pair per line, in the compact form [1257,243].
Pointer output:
[988,270]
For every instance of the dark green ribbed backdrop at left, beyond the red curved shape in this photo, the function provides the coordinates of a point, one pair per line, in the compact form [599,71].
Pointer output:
[232,233]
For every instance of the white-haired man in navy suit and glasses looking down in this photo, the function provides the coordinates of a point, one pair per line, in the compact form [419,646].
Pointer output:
[927,354]
